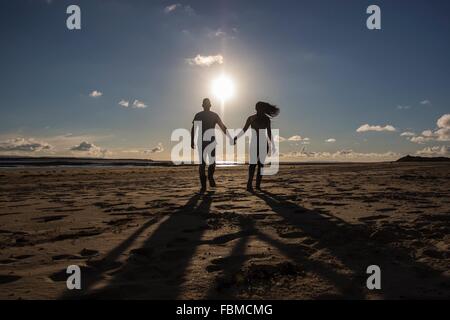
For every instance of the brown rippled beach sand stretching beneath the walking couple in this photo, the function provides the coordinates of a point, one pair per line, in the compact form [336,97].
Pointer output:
[143,232]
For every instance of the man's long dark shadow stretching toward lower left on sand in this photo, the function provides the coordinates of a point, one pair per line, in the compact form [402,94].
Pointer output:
[155,270]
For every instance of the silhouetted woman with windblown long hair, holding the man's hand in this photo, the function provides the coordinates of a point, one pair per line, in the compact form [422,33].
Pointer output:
[260,124]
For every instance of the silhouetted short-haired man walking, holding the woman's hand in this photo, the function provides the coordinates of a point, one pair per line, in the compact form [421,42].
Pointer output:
[207,149]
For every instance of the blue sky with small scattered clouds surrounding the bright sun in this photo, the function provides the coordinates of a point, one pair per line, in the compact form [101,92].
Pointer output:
[316,60]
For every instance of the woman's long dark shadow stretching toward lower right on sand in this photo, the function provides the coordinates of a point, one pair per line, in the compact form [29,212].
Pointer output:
[353,246]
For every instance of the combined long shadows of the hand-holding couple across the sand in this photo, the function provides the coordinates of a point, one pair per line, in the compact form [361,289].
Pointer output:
[159,268]
